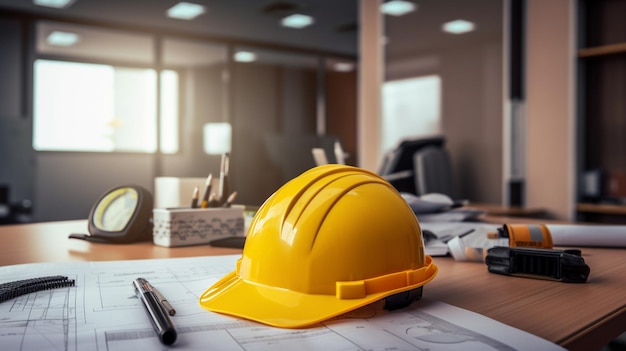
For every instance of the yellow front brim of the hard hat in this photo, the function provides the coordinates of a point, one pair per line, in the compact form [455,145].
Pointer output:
[285,308]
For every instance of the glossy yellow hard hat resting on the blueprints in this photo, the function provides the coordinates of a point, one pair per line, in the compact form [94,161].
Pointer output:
[329,241]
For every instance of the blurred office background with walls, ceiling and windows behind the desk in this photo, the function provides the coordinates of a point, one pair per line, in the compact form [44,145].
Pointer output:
[101,93]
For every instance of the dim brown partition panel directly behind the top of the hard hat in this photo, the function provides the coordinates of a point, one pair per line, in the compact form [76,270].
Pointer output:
[268,101]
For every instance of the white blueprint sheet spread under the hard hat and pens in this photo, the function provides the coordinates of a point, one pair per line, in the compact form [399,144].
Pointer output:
[101,313]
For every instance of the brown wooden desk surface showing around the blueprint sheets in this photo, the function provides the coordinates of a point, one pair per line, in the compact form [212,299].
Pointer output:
[577,316]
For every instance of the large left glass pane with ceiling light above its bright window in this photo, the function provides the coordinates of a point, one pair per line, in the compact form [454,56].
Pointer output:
[105,100]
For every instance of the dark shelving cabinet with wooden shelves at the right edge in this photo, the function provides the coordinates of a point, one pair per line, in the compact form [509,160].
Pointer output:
[602,106]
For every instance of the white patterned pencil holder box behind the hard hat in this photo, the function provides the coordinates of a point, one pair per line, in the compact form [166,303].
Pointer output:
[196,226]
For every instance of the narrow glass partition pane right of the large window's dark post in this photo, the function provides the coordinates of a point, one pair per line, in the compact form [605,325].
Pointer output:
[203,94]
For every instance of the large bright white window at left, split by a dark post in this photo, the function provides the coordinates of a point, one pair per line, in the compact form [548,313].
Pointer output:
[101,108]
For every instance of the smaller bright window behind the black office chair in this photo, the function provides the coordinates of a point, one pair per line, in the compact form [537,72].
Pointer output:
[411,108]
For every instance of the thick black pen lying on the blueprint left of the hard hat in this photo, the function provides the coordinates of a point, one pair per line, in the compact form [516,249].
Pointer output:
[159,319]
